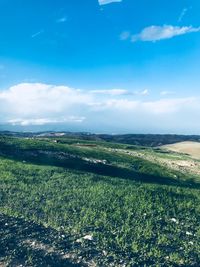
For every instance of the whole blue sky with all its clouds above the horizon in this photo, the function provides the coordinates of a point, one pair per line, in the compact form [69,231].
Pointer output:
[100,66]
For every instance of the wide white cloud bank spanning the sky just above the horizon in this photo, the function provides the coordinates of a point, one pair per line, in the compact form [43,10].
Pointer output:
[39,104]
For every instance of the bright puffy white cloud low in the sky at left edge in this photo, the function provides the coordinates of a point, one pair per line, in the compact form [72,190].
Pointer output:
[40,103]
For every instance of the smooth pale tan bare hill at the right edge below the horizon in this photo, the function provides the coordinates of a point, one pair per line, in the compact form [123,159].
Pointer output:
[189,147]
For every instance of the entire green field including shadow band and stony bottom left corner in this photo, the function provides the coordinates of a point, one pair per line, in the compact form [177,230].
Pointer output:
[73,202]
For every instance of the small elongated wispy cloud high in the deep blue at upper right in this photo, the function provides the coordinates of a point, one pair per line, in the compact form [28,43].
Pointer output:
[155,33]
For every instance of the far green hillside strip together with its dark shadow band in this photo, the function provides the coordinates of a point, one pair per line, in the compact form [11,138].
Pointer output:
[44,152]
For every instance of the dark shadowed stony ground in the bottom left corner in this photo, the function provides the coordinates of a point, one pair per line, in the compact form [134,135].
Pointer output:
[25,243]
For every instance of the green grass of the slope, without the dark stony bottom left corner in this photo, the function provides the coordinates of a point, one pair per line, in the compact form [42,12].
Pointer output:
[131,222]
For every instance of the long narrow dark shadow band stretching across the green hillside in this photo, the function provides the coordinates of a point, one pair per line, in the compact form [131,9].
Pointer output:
[69,161]
